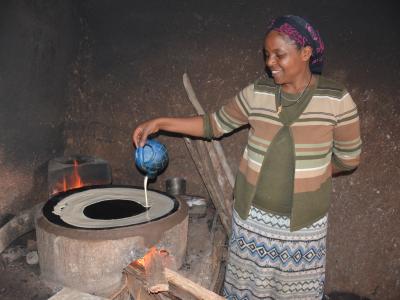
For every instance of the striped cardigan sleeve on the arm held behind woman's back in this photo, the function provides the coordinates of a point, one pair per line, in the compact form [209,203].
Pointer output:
[346,136]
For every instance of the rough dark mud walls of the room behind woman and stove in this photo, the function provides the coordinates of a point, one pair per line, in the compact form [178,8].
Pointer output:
[130,68]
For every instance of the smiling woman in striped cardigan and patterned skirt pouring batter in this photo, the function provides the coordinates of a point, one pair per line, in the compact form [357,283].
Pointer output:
[303,128]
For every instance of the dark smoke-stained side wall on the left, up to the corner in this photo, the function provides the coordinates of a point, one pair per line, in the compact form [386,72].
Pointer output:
[38,40]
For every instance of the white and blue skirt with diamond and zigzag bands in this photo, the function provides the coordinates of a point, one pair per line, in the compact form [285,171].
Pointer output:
[267,261]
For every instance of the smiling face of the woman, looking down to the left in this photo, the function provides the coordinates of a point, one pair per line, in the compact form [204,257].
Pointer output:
[287,63]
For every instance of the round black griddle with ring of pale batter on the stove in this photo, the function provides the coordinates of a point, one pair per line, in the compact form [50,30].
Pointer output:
[105,207]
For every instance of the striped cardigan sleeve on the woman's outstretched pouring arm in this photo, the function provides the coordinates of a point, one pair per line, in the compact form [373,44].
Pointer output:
[230,116]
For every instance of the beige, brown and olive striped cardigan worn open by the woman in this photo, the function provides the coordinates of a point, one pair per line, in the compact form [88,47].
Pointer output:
[327,133]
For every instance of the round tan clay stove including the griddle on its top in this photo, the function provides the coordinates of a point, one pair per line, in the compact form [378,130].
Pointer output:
[87,236]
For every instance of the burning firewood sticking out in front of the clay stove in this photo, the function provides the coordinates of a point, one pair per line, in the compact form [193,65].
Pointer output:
[151,278]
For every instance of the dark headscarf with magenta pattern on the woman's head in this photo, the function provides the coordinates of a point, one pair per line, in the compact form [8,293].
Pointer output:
[303,34]
